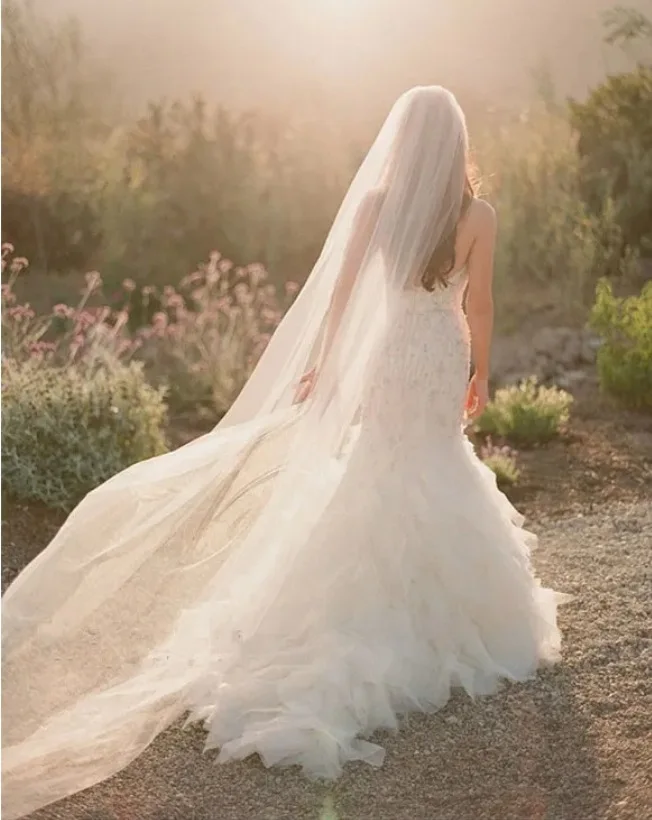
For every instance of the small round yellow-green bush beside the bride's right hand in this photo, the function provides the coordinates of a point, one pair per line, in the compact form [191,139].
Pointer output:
[526,414]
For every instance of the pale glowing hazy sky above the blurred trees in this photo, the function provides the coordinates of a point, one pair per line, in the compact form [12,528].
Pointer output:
[358,53]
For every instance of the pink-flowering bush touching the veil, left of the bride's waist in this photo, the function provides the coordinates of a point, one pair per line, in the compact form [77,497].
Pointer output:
[210,333]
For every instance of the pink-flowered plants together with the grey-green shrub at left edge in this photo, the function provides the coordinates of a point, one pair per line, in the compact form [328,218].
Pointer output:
[74,411]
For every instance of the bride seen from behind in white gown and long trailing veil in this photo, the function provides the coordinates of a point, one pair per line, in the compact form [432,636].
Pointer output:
[333,554]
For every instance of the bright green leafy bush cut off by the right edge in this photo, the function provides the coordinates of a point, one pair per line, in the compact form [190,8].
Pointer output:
[625,356]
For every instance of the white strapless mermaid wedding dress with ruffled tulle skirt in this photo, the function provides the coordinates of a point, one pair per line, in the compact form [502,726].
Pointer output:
[417,579]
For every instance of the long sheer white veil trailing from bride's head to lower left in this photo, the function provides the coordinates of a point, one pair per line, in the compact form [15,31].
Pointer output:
[101,649]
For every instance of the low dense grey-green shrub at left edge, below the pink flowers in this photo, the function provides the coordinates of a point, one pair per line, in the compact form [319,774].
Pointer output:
[66,430]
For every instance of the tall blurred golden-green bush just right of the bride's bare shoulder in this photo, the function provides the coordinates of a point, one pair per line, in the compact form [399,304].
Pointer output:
[550,245]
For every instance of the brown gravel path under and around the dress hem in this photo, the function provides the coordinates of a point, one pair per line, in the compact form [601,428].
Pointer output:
[575,744]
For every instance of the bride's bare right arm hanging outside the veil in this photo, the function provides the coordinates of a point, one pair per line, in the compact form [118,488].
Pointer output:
[479,300]
